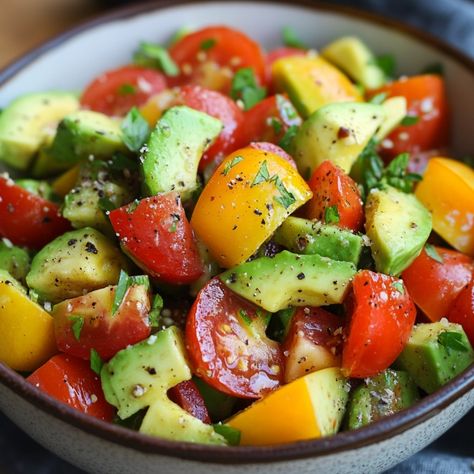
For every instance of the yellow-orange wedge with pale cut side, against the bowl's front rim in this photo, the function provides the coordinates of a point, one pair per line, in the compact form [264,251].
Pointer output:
[310,407]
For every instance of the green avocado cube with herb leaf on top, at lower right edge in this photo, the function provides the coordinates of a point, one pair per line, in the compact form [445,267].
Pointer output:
[435,354]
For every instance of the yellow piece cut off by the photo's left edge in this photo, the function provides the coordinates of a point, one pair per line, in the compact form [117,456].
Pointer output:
[26,330]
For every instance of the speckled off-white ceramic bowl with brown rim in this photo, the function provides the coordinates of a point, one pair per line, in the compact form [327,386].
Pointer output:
[69,62]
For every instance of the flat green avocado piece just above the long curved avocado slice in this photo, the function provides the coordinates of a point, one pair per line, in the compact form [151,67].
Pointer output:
[308,237]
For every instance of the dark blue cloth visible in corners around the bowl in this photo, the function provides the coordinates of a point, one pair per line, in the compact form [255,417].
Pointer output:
[452,20]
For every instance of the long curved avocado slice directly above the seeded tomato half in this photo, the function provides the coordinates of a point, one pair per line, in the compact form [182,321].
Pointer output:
[288,279]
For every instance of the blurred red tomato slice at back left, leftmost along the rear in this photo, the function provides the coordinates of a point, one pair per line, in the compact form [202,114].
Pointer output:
[104,94]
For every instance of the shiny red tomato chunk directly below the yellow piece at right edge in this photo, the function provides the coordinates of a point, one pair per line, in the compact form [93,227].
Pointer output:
[435,286]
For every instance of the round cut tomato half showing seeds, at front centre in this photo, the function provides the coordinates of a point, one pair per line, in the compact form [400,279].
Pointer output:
[223,349]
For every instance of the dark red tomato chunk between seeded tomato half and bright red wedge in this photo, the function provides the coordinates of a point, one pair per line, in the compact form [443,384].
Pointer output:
[313,342]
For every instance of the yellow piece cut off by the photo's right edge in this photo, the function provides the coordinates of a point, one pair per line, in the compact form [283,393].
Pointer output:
[447,190]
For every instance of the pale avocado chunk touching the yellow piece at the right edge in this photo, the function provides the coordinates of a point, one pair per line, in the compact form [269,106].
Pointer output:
[398,226]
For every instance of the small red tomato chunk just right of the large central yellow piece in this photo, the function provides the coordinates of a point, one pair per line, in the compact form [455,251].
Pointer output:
[332,187]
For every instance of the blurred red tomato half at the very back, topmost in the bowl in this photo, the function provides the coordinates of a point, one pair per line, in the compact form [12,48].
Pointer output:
[210,56]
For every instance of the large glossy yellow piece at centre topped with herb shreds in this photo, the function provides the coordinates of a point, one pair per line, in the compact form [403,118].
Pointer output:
[249,195]
